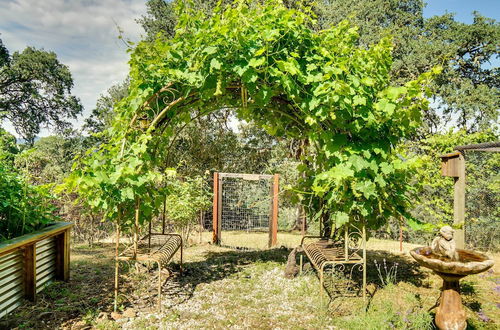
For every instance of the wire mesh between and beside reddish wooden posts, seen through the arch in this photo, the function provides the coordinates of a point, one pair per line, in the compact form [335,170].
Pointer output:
[246,206]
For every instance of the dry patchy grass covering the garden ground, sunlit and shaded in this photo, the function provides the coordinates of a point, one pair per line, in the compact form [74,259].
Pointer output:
[224,288]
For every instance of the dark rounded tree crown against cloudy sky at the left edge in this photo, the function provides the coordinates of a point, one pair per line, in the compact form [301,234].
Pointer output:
[35,91]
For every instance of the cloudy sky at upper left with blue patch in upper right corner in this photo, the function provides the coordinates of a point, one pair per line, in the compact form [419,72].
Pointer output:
[84,35]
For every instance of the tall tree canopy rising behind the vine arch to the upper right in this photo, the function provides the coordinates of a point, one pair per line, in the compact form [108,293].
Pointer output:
[466,92]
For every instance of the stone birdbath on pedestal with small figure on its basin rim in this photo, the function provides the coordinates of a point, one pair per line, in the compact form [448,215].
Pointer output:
[451,265]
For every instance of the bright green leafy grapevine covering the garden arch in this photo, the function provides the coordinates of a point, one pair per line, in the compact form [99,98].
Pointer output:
[266,61]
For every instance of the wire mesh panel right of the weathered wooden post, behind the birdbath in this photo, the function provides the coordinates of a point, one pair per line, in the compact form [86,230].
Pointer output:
[482,230]
